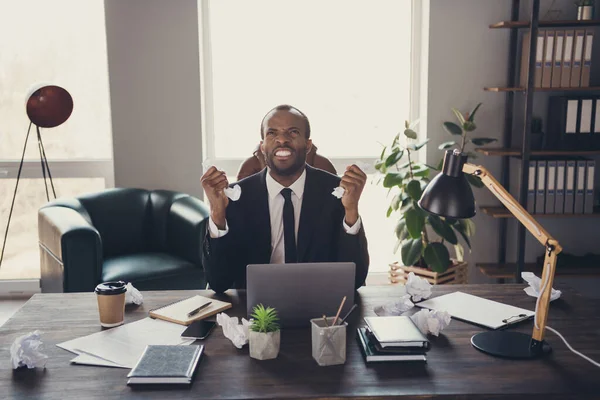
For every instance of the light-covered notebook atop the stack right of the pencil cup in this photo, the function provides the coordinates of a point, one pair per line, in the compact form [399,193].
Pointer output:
[396,331]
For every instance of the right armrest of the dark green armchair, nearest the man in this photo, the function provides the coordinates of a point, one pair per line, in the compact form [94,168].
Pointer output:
[186,228]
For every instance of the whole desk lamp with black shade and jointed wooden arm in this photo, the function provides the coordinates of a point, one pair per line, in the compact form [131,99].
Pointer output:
[449,195]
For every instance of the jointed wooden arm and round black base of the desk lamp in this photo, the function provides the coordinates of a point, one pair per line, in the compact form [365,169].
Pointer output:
[510,344]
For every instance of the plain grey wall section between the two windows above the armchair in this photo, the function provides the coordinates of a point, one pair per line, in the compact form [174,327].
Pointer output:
[153,61]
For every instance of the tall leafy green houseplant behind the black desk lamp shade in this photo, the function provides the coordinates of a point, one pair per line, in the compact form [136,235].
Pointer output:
[422,237]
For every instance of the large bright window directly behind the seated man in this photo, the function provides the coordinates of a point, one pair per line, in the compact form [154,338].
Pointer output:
[345,63]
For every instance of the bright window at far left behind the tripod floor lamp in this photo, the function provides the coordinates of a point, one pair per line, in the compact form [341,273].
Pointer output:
[60,42]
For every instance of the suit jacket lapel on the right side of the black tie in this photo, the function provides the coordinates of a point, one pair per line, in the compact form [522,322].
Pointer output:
[309,212]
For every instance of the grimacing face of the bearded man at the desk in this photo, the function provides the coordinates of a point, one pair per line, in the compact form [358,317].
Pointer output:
[284,144]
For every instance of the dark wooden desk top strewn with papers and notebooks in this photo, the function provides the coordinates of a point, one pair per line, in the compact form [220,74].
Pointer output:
[453,369]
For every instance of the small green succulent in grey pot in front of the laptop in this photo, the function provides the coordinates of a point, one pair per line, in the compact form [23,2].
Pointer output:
[265,335]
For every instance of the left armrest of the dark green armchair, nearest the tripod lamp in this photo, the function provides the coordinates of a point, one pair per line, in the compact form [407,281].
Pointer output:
[70,251]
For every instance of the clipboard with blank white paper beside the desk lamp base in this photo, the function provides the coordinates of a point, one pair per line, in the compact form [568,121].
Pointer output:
[477,310]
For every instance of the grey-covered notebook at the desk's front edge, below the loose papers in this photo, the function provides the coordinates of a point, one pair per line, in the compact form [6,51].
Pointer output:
[166,364]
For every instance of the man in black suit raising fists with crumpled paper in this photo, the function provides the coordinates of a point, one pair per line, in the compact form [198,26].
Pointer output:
[286,212]
